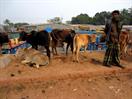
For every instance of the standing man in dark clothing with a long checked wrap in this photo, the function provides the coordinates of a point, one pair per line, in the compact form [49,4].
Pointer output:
[112,30]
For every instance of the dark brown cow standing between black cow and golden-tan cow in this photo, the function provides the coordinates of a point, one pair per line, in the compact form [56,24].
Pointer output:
[62,35]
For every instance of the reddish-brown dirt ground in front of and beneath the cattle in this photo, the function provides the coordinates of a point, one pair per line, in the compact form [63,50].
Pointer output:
[65,79]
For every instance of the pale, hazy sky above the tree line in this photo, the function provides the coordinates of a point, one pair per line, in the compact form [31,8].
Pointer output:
[39,11]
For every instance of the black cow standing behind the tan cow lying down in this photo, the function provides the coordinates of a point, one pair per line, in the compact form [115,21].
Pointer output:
[35,38]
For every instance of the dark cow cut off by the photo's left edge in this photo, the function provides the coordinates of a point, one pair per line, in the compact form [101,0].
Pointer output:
[4,39]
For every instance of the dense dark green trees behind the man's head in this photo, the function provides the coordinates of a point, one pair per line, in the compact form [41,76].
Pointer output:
[100,18]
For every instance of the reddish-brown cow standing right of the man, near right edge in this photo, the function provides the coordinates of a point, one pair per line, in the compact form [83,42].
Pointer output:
[123,41]
